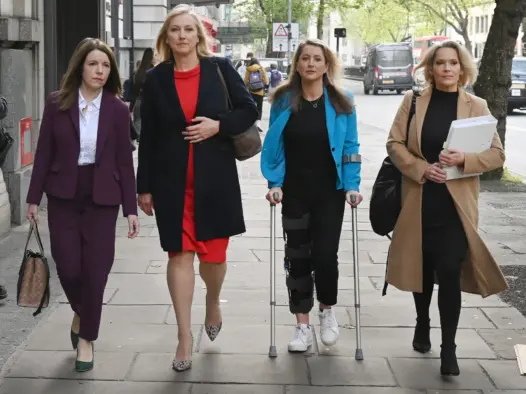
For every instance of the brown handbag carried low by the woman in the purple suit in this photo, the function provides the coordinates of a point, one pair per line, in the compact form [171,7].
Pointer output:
[33,277]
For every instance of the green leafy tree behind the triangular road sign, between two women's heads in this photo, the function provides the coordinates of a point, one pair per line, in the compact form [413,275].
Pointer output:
[262,13]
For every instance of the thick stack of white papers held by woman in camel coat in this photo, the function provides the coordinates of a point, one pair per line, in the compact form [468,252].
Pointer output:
[472,135]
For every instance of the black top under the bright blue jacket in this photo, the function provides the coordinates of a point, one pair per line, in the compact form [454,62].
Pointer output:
[308,157]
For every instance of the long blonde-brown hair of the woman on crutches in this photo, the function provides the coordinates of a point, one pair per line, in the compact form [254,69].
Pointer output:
[337,97]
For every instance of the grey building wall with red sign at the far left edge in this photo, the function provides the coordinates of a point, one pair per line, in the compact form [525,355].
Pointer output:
[21,82]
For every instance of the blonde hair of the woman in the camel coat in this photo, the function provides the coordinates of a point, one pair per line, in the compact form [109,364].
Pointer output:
[467,64]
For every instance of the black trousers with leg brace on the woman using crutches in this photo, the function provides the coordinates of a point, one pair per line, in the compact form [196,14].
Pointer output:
[312,228]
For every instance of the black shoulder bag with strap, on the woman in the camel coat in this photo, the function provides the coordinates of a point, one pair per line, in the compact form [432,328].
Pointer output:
[386,199]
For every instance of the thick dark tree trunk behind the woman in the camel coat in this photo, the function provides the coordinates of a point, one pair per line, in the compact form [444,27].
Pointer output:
[494,79]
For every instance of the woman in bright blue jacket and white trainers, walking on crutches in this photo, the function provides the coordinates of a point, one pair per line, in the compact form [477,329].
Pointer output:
[310,159]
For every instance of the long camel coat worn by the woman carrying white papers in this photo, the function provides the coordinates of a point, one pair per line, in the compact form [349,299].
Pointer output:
[480,272]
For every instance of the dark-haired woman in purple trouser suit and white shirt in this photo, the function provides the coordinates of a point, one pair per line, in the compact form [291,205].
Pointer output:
[84,164]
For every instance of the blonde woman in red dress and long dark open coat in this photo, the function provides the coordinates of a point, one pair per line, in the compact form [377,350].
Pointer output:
[187,168]
